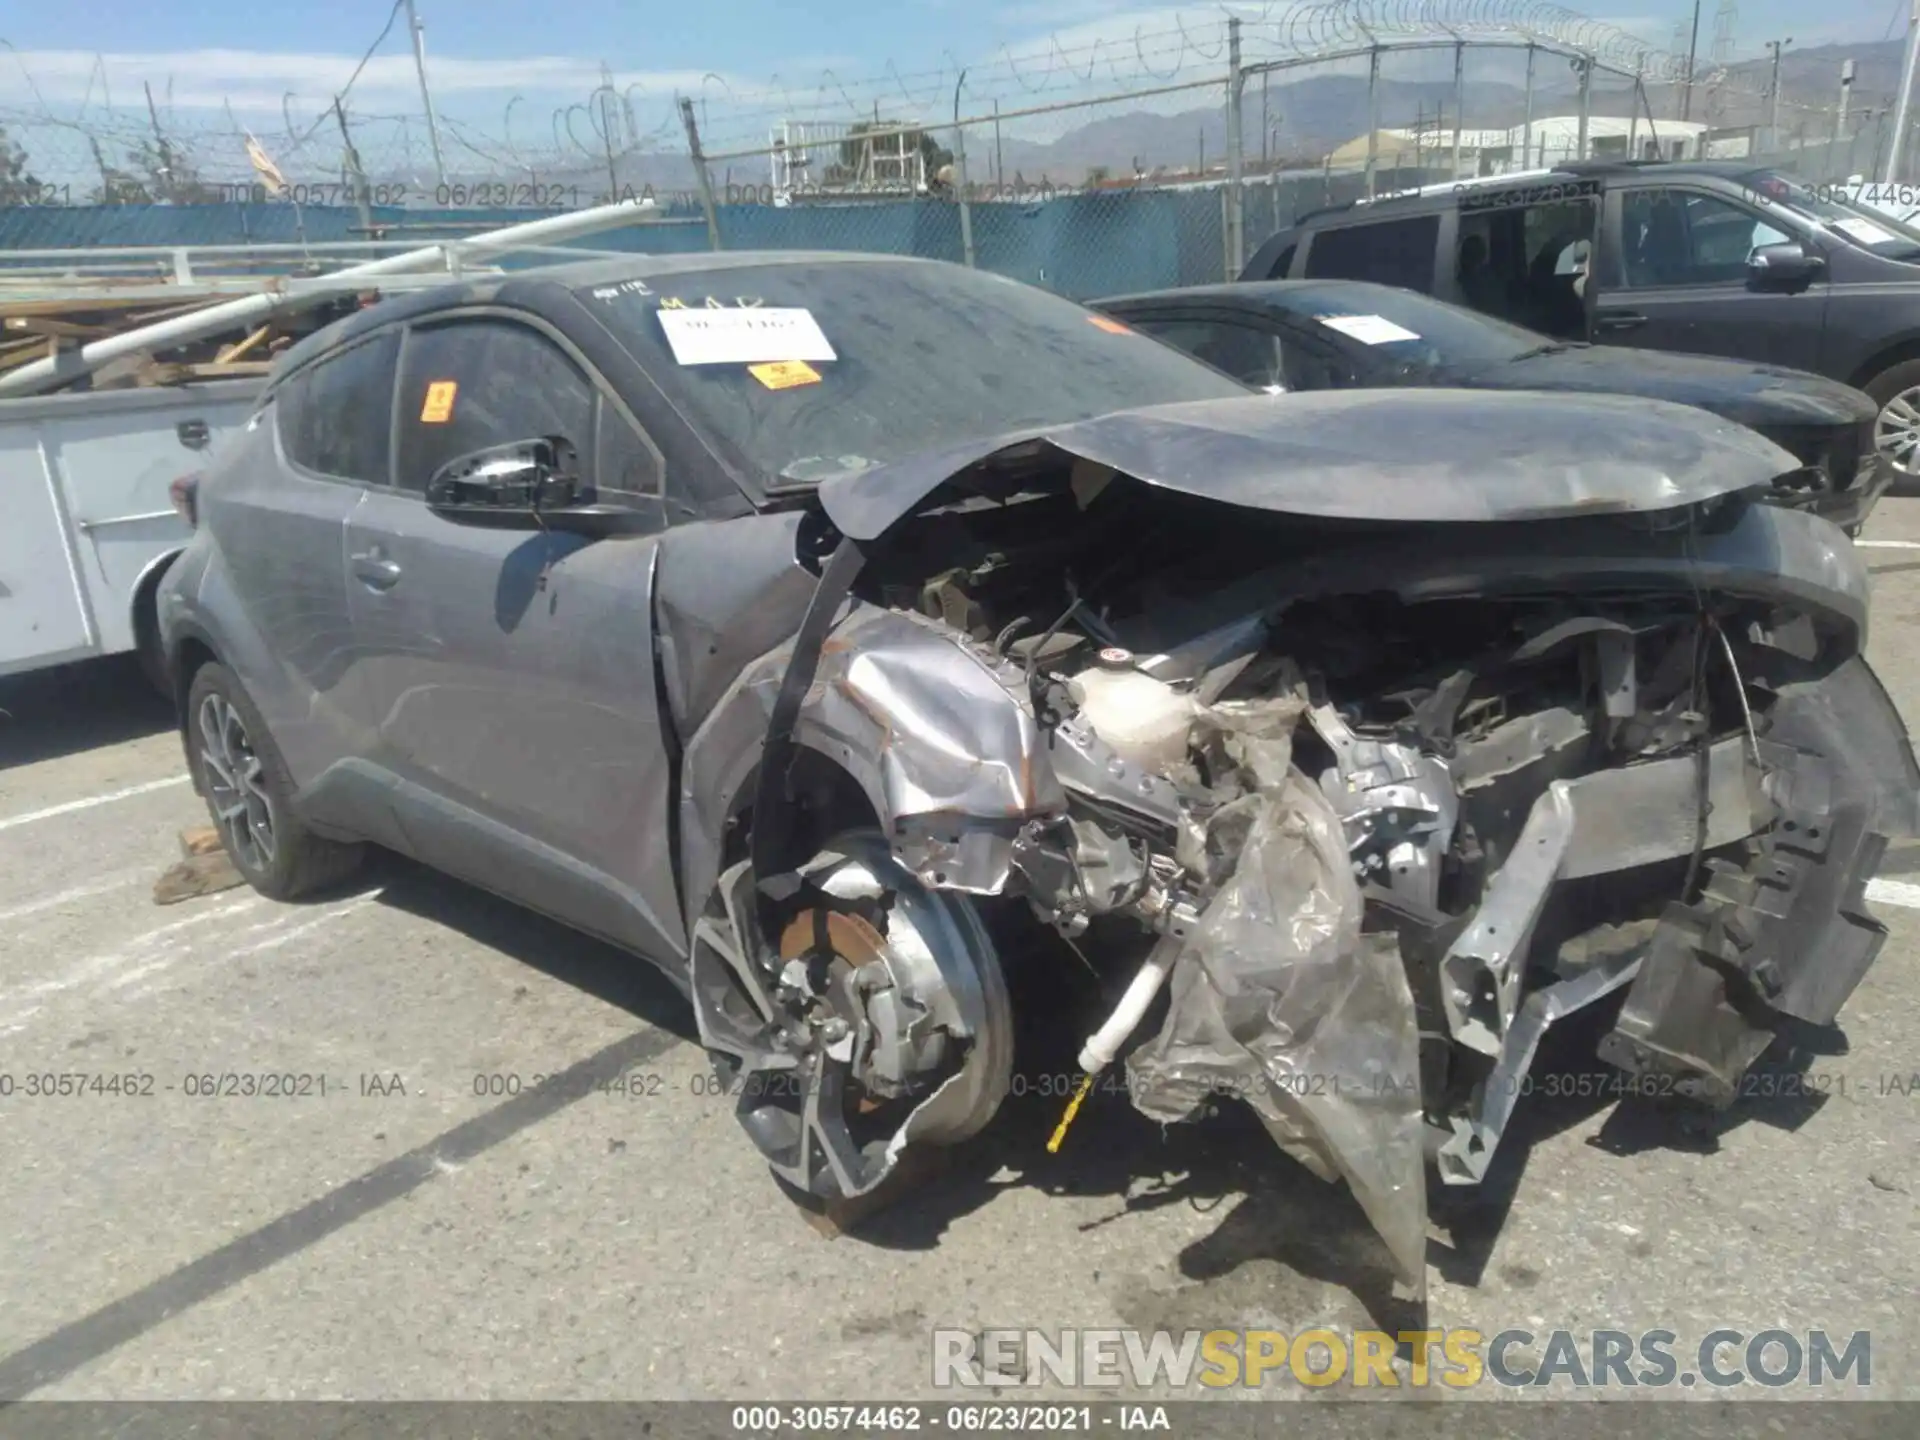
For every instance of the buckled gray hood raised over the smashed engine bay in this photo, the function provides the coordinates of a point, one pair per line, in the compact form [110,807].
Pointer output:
[1410,456]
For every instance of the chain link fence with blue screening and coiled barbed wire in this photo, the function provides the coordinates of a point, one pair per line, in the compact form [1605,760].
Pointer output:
[1163,185]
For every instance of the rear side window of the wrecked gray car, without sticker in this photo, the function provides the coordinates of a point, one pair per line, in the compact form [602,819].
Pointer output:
[337,416]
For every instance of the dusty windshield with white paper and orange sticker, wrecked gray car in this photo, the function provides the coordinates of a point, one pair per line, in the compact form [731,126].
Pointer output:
[813,370]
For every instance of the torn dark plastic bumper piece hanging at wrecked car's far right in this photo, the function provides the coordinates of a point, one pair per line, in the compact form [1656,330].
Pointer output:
[1787,936]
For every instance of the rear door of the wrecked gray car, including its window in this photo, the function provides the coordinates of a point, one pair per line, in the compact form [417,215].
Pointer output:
[279,510]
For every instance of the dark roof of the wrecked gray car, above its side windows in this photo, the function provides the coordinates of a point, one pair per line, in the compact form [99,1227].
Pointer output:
[567,277]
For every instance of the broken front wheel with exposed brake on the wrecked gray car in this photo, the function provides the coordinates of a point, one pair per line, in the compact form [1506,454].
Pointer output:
[880,1019]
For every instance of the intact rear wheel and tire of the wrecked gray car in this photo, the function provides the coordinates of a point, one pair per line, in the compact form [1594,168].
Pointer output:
[283,861]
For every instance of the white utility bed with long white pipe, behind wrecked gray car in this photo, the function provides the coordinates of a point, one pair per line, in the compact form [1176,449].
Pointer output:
[87,517]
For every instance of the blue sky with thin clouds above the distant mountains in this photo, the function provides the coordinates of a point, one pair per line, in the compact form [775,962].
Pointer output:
[825,57]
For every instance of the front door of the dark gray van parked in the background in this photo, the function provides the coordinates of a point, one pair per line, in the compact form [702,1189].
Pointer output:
[1675,277]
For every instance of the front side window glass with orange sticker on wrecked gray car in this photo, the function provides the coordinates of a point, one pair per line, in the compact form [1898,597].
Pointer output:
[477,383]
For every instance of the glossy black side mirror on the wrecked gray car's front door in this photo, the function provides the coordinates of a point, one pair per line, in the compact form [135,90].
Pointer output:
[531,485]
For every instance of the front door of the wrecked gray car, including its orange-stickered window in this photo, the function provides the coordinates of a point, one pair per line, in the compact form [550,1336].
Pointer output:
[512,673]
